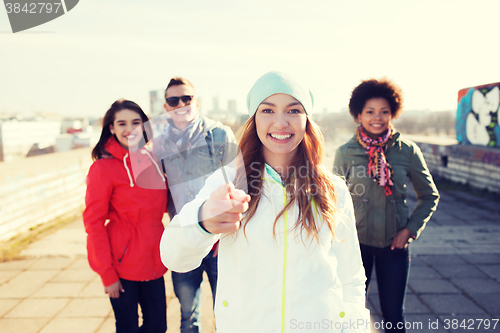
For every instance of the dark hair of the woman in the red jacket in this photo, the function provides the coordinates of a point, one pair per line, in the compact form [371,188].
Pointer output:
[109,118]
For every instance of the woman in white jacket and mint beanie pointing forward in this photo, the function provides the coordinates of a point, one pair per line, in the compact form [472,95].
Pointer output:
[289,256]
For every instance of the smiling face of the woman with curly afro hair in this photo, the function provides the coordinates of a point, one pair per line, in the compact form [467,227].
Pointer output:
[375,117]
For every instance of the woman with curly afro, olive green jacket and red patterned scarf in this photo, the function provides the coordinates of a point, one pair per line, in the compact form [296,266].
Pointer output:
[376,163]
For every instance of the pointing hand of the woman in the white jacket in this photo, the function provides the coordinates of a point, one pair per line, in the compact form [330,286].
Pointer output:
[223,211]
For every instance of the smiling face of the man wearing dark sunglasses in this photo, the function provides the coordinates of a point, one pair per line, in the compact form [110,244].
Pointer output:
[180,114]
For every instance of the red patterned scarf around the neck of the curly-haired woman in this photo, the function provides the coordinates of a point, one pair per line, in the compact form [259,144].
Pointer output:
[378,168]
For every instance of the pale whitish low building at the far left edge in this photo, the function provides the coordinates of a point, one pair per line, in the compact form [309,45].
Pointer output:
[17,138]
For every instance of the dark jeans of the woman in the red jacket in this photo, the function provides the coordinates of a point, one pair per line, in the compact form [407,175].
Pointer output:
[151,296]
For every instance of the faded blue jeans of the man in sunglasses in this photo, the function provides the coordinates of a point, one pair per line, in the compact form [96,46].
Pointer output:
[187,289]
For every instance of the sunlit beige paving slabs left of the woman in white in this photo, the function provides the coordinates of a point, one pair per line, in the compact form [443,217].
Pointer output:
[52,289]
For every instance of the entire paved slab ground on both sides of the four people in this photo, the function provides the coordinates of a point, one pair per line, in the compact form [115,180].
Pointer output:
[454,280]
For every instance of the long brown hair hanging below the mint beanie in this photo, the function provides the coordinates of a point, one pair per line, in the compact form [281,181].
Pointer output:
[315,193]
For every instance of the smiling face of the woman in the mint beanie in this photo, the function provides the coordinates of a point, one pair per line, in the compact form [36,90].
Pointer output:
[281,124]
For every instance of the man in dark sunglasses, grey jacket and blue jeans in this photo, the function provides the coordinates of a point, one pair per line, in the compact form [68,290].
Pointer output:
[191,148]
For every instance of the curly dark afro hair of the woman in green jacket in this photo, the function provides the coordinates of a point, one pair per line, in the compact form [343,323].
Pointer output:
[373,88]
